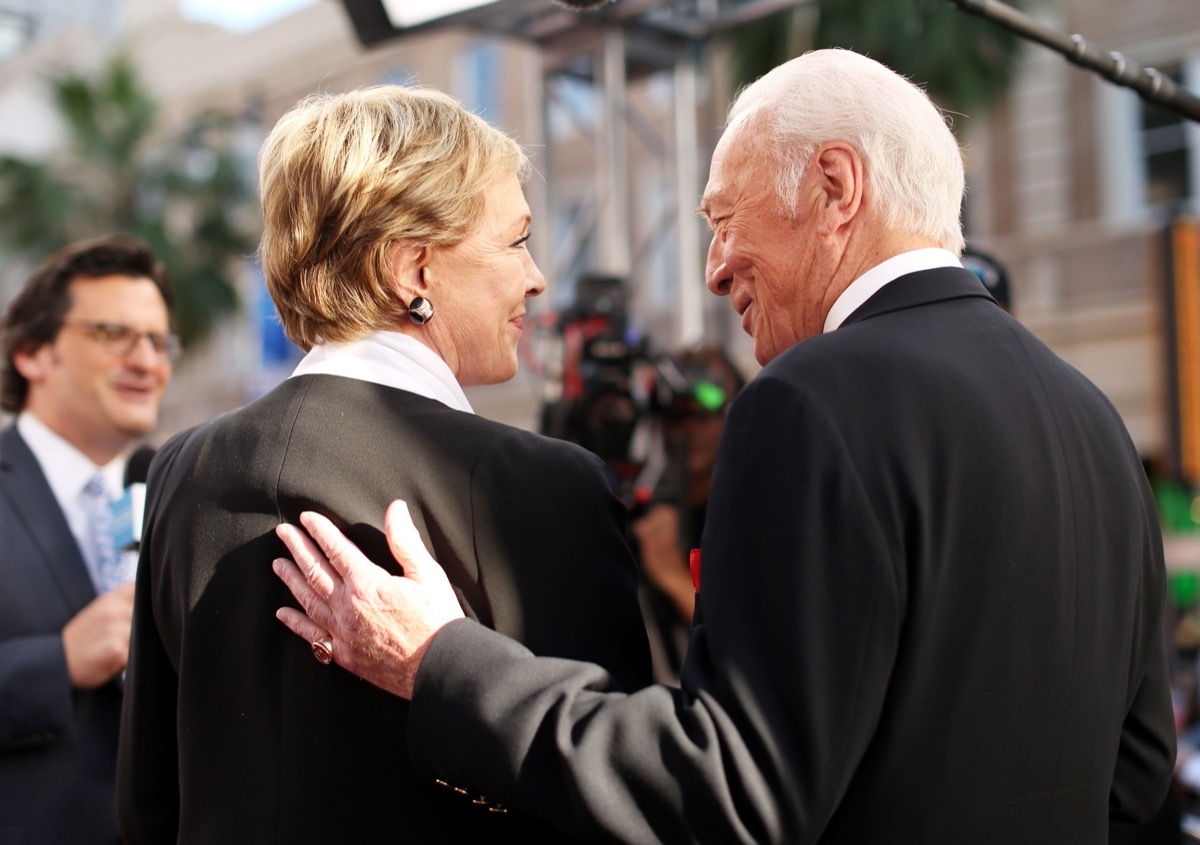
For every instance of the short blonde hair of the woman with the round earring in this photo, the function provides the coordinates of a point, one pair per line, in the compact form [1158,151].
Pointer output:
[344,177]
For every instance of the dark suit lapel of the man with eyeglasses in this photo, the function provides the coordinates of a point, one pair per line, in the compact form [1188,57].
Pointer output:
[33,501]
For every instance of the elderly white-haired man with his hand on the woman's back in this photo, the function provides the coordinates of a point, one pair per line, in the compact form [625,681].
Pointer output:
[932,584]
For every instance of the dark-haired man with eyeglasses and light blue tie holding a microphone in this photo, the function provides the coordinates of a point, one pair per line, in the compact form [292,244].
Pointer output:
[87,358]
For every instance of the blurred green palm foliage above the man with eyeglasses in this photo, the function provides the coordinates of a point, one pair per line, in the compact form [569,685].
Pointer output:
[187,197]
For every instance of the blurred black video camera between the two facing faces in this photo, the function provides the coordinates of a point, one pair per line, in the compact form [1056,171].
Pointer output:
[611,389]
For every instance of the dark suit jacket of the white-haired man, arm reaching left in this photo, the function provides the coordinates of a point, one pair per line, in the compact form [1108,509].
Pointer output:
[931,613]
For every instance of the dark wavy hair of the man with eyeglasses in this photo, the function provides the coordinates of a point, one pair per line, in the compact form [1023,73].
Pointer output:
[35,317]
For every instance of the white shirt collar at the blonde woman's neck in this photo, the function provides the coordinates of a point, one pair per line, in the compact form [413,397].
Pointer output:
[393,361]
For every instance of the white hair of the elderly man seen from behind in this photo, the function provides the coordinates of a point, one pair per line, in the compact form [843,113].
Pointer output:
[913,160]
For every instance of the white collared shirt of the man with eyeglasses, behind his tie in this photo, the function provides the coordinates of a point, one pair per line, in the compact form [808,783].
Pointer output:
[68,471]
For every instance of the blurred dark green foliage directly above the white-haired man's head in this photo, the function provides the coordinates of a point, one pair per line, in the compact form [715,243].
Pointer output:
[964,62]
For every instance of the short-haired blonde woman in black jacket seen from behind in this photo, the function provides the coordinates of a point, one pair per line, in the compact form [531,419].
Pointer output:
[395,250]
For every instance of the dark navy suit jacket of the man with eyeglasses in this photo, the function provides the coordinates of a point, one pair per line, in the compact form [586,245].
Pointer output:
[58,747]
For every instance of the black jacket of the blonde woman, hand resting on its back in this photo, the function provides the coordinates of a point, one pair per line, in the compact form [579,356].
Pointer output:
[232,730]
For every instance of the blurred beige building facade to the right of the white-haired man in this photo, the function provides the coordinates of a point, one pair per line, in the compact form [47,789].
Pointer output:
[1073,182]
